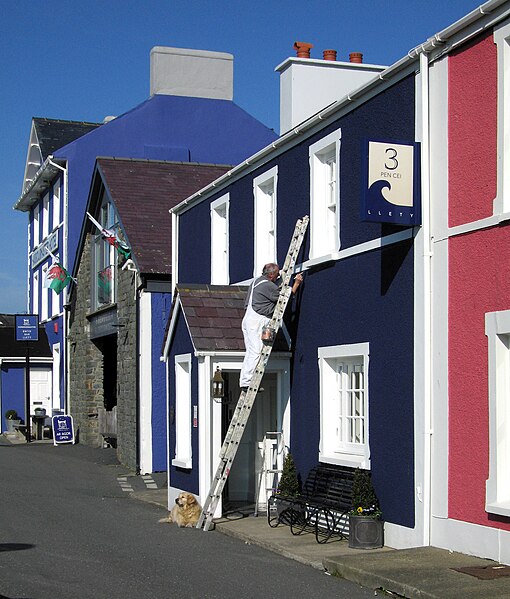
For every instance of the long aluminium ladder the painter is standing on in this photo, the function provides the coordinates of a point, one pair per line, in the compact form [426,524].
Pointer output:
[247,399]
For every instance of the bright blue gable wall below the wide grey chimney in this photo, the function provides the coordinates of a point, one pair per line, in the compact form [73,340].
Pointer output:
[214,131]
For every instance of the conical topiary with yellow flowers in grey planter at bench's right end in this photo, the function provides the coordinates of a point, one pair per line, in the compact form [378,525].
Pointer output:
[366,527]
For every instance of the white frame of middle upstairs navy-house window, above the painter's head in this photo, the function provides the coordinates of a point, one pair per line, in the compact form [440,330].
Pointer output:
[261,218]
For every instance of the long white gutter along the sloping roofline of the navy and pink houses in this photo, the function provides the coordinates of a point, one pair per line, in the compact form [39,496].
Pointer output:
[434,43]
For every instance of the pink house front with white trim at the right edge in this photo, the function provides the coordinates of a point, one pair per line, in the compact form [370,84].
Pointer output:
[469,115]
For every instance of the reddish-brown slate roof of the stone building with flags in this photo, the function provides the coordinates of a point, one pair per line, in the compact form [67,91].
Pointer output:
[143,192]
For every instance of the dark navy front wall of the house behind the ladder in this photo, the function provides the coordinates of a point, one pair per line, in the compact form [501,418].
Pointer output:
[364,298]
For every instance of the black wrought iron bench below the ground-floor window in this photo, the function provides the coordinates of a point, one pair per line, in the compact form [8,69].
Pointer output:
[322,507]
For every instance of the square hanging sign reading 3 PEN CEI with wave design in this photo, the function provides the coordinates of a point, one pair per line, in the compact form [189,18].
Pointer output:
[392,191]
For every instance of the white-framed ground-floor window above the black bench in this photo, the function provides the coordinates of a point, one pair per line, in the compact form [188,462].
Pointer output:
[344,405]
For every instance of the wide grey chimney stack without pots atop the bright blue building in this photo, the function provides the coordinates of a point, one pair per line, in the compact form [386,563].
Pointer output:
[195,73]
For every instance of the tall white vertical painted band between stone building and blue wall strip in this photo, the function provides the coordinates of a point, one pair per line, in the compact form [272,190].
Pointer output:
[145,382]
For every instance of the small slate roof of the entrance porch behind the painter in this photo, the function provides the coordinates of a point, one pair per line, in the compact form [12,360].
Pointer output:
[213,314]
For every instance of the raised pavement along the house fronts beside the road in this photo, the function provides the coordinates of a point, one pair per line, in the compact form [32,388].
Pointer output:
[421,573]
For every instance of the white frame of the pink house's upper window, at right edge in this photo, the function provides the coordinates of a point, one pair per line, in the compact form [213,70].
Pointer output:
[502,41]
